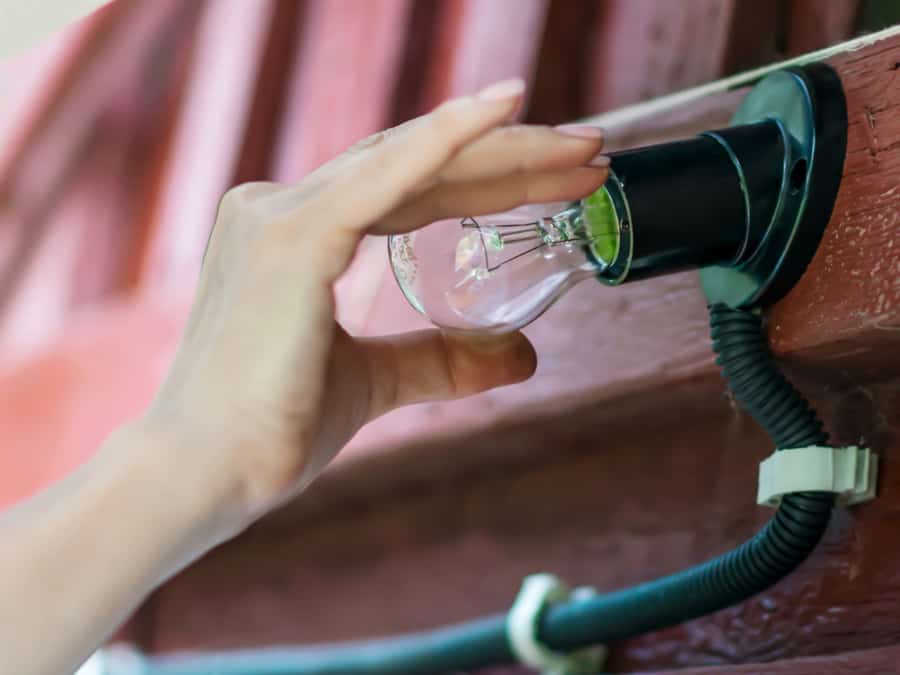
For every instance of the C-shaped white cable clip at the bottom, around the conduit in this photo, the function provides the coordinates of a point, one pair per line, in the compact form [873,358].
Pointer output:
[538,592]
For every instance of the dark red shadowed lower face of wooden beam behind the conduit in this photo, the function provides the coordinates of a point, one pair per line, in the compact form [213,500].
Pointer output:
[611,493]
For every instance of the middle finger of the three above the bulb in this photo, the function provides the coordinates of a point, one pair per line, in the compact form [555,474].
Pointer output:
[521,148]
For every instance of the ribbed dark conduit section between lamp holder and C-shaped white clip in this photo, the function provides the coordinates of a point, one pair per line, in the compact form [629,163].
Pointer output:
[775,551]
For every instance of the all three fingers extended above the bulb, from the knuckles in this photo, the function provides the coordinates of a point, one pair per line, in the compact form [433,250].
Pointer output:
[442,164]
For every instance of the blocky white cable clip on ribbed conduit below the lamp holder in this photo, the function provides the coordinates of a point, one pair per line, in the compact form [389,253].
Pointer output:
[850,472]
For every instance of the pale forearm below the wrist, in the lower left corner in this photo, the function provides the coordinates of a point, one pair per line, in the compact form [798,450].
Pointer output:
[77,559]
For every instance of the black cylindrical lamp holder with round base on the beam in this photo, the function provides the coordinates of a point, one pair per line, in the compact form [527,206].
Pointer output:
[746,204]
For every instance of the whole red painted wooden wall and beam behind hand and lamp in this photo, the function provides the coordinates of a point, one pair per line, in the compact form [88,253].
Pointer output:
[621,460]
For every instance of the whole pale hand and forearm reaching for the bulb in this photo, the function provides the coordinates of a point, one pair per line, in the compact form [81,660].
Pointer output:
[266,387]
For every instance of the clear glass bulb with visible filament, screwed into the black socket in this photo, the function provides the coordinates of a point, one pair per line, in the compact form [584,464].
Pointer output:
[495,274]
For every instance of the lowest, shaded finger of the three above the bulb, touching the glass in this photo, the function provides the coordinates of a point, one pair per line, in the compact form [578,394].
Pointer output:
[492,196]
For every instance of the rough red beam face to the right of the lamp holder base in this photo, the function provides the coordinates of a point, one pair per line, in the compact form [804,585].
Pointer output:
[845,312]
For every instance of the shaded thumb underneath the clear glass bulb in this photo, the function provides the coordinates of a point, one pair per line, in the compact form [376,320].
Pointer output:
[430,366]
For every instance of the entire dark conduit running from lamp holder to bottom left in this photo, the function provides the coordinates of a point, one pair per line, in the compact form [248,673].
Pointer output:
[775,551]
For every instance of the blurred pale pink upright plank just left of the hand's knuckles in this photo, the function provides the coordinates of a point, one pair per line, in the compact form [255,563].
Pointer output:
[203,154]
